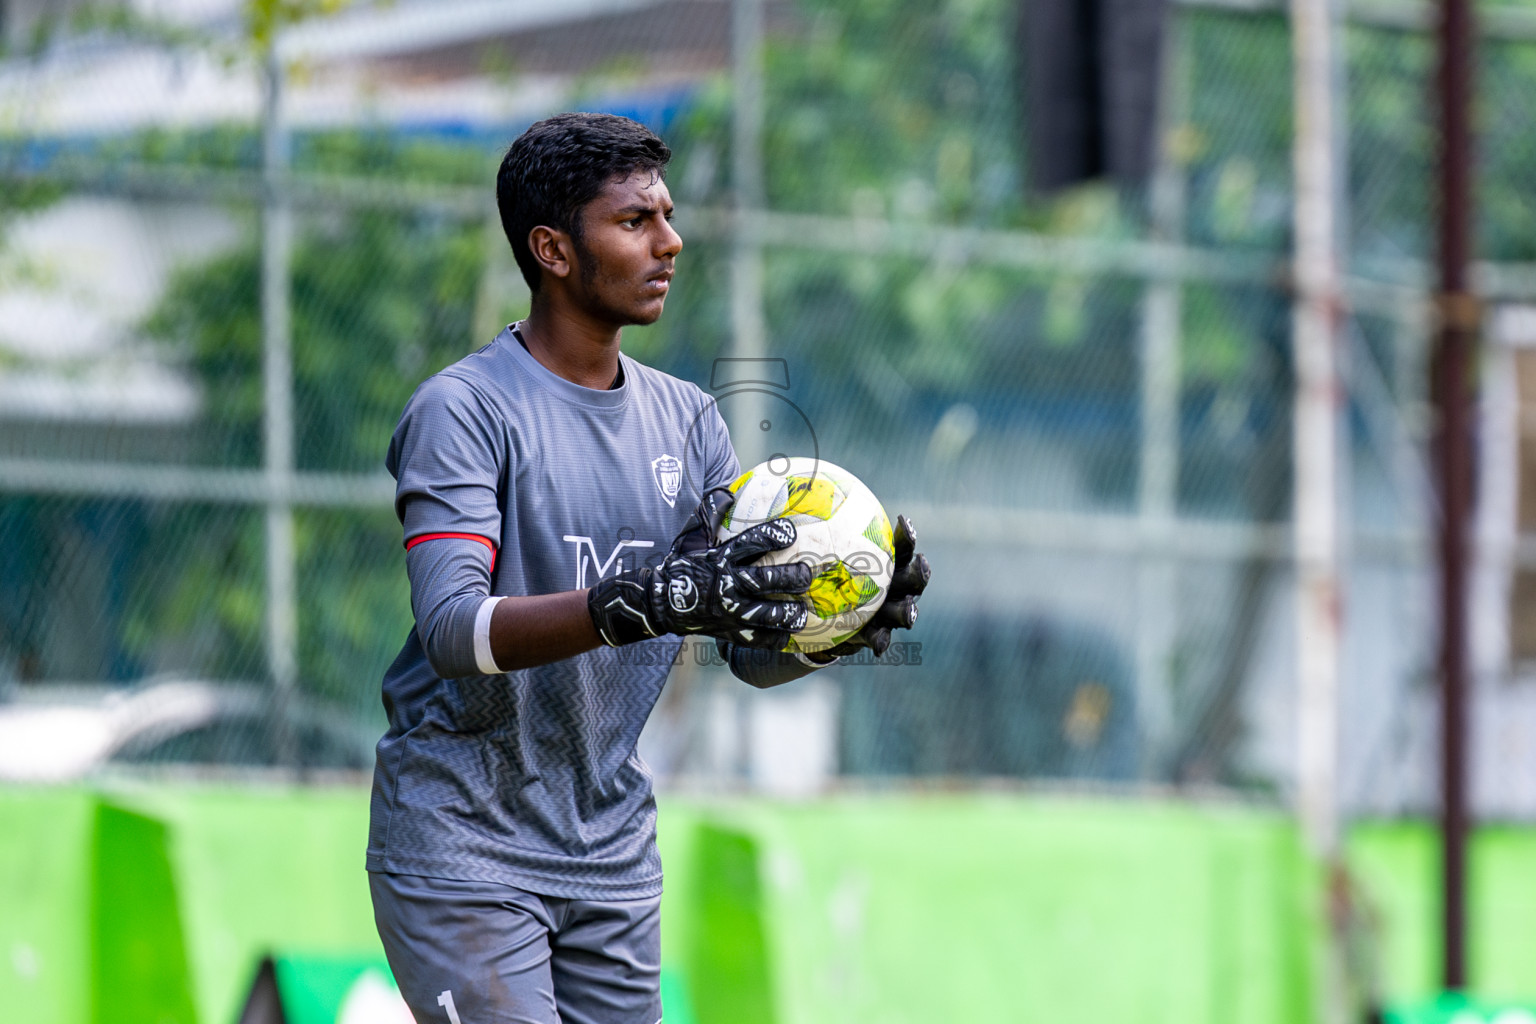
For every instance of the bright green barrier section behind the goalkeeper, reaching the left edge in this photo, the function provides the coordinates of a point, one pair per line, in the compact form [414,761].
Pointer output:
[164,899]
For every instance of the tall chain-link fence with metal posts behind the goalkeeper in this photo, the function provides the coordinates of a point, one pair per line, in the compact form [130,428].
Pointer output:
[211,323]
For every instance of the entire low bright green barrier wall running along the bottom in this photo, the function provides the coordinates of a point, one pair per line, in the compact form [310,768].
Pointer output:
[876,908]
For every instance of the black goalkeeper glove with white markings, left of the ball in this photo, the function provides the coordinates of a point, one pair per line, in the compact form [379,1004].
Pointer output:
[709,589]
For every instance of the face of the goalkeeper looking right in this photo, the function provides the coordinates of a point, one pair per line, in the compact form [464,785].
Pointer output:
[626,251]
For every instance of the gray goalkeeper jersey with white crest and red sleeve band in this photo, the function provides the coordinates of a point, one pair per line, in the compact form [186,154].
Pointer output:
[515,481]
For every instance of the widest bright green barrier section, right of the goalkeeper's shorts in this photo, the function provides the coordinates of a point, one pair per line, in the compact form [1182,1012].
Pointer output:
[1002,910]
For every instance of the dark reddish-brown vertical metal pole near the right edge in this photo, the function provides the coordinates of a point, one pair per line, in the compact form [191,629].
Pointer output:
[1454,354]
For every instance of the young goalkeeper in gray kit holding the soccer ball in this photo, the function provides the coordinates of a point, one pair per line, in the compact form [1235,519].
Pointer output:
[546,486]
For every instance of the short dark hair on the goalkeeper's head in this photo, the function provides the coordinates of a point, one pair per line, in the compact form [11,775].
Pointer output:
[560,165]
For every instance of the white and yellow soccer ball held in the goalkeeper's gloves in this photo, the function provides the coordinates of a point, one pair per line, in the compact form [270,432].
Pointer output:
[841,530]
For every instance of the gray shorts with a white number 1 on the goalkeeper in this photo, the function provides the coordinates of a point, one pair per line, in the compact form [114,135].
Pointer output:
[477,953]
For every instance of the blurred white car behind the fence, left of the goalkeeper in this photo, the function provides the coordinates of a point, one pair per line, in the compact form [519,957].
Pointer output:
[58,733]
